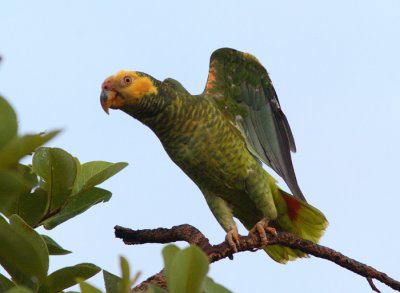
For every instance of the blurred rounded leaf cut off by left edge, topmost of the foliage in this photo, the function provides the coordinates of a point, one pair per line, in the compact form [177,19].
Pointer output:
[8,122]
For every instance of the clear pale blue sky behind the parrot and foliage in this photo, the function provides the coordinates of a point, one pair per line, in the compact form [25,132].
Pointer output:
[335,66]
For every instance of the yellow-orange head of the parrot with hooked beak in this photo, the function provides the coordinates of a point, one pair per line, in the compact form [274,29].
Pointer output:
[126,88]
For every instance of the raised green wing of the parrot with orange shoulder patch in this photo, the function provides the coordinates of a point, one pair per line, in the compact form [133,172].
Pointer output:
[242,89]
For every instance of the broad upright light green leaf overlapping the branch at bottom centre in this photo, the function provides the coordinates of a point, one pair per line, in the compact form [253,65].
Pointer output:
[187,270]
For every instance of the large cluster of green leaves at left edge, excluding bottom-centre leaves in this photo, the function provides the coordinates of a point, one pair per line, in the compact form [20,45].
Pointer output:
[53,189]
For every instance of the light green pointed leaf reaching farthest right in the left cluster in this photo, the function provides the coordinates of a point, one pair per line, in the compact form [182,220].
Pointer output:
[94,173]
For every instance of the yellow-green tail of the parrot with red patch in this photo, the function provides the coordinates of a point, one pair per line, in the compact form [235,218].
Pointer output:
[300,219]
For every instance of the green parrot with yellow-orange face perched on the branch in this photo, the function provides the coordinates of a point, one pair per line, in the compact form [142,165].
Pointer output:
[220,139]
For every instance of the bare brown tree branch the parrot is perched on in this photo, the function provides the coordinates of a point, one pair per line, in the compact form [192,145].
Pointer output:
[251,242]
